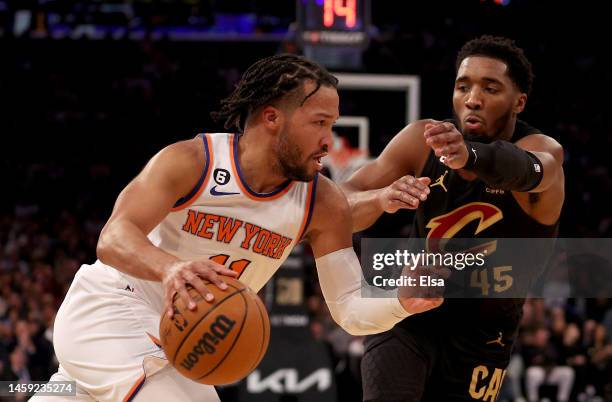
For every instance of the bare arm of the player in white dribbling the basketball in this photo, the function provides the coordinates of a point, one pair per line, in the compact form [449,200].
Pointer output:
[141,206]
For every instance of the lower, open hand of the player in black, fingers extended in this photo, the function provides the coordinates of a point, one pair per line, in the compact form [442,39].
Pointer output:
[407,192]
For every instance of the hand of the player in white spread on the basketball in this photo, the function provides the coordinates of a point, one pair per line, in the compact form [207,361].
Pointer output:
[180,273]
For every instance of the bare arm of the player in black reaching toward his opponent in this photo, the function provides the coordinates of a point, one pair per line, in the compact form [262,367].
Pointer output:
[388,183]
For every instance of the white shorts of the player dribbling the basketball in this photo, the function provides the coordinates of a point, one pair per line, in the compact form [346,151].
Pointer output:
[104,338]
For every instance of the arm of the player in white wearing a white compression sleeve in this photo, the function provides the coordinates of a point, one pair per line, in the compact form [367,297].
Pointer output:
[340,273]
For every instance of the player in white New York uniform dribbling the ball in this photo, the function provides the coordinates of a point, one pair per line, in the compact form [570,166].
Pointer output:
[244,201]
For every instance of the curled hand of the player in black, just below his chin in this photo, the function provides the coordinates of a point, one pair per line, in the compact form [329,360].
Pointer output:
[447,143]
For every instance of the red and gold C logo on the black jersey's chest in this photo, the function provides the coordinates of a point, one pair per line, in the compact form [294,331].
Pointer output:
[448,225]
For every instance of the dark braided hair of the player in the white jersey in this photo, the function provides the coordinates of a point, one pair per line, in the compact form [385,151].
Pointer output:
[269,80]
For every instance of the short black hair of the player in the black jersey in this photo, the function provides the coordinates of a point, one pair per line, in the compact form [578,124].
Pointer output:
[504,49]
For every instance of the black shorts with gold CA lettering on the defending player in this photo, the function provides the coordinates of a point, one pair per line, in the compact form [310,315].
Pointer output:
[424,365]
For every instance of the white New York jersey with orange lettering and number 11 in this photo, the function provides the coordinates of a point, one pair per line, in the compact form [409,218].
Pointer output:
[224,220]
